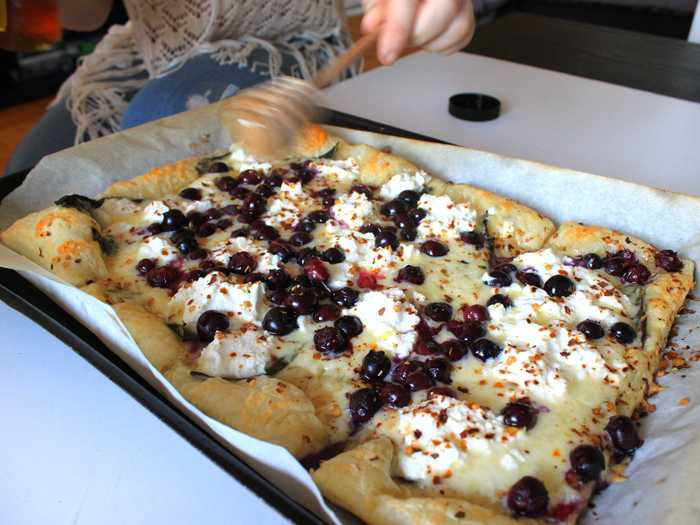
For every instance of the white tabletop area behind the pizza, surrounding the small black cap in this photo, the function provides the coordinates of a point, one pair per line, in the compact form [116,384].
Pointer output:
[546,116]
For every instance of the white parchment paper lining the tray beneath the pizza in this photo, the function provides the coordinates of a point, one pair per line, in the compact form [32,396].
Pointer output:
[661,488]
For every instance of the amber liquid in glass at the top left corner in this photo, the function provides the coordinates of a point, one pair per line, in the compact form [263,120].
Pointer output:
[31,25]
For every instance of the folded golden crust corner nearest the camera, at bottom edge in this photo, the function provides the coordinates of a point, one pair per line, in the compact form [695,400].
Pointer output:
[360,480]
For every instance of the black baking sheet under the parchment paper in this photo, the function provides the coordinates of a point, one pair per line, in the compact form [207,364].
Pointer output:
[25,298]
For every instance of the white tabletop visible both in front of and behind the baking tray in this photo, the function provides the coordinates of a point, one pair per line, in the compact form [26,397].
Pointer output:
[77,450]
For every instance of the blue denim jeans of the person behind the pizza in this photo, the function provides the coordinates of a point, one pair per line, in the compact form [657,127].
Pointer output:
[199,81]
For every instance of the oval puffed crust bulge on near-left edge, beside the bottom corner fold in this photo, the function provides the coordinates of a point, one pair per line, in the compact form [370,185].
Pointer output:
[263,407]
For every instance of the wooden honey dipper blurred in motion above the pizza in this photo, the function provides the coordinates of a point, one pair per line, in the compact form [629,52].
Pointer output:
[267,117]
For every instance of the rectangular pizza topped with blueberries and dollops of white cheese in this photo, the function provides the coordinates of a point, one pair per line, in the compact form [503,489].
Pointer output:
[432,352]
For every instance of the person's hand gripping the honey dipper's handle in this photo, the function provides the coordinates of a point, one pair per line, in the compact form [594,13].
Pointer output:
[440,26]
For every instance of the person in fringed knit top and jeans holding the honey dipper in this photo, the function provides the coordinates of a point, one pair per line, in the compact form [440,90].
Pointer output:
[176,55]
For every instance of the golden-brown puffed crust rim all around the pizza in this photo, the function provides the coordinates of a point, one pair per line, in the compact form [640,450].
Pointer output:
[62,240]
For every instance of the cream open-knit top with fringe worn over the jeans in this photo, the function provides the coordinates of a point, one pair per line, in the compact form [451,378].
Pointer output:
[162,35]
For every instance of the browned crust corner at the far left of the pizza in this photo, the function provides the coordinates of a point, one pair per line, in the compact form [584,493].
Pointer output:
[60,240]
